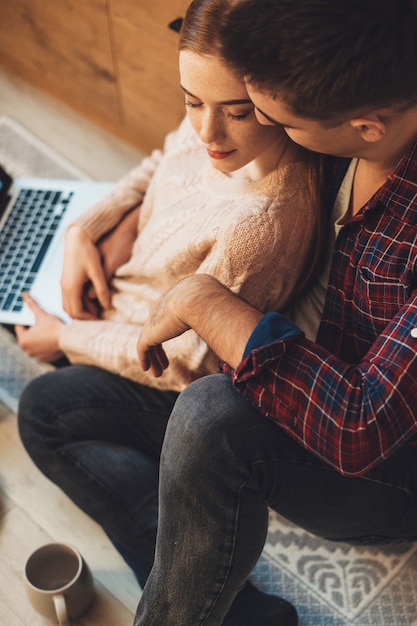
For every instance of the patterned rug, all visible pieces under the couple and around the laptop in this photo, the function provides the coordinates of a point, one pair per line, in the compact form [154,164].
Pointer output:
[331,584]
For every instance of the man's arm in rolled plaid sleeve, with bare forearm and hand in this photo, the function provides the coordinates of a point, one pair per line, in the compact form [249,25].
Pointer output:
[351,416]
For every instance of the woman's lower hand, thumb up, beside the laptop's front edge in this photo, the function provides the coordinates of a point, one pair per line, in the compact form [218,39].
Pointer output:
[40,340]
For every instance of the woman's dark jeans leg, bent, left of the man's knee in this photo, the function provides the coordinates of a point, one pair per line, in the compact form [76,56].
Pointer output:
[98,436]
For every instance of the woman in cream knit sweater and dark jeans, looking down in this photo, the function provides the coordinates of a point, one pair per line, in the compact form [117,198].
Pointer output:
[226,197]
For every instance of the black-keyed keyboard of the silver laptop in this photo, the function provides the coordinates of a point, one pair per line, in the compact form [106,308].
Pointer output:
[24,241]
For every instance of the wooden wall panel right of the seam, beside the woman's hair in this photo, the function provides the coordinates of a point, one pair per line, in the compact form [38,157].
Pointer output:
[147,61]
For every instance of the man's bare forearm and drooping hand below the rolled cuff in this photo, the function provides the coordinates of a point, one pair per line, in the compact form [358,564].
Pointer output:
[222,319]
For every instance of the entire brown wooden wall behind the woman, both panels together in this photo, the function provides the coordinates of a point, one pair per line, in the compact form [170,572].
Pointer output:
[115,61]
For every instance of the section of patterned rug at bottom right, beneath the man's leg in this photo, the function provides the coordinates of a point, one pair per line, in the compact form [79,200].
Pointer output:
[333,584]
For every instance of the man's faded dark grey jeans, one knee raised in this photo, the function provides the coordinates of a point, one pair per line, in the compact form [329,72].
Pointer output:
[222,465]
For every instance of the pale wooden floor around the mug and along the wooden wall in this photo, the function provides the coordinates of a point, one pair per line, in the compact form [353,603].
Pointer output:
[32,510]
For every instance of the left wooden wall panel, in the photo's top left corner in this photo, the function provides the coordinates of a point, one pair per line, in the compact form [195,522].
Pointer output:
[63,46]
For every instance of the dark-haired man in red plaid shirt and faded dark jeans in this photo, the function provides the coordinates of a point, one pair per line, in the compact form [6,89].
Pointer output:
[322,431]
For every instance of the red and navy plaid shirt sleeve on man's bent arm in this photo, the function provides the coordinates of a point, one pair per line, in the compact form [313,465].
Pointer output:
[350,416]
